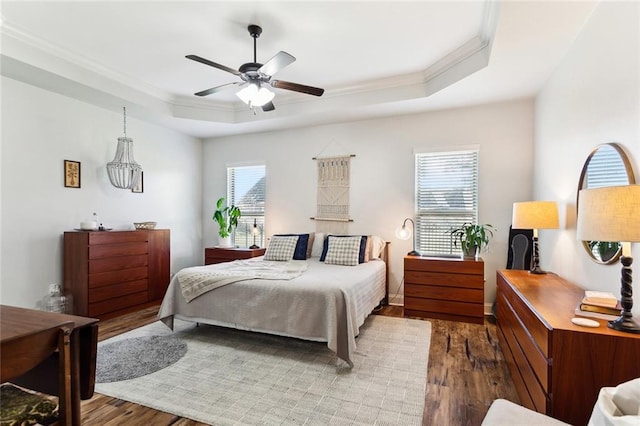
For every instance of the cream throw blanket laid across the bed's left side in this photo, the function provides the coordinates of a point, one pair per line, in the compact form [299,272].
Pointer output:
[198,280]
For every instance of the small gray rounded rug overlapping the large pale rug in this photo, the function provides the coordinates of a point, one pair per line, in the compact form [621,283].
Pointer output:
[137,356]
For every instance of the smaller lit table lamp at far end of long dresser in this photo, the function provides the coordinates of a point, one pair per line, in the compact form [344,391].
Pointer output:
[535,215]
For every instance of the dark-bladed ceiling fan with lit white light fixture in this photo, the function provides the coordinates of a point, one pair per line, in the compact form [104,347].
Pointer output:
[256,76]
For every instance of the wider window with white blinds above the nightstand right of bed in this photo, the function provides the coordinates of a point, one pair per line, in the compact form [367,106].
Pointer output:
[446,197]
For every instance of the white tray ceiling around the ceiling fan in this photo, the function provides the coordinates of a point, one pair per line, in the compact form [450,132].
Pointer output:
[373,58]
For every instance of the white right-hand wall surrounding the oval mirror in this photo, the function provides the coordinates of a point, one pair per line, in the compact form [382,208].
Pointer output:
[592,98]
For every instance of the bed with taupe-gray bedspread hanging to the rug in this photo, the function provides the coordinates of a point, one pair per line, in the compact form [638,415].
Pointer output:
[326,302]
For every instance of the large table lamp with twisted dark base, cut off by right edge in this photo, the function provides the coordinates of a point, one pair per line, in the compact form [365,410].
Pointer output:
[613,214]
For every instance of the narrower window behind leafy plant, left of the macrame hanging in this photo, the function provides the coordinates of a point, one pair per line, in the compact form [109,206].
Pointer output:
[246,189]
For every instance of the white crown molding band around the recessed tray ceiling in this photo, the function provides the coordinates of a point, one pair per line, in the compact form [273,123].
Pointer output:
[74,75]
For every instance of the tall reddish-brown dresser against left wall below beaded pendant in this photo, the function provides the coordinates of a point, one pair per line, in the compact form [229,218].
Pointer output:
[115,272]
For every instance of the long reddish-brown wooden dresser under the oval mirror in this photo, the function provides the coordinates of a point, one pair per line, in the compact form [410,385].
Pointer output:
[557,367]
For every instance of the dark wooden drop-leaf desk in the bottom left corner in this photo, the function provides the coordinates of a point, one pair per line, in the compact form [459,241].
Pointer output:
[84,347]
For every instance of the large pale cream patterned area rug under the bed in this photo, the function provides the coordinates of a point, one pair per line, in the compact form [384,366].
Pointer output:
[232,377]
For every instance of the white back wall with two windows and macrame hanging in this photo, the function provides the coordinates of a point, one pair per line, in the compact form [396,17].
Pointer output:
[382,179]
